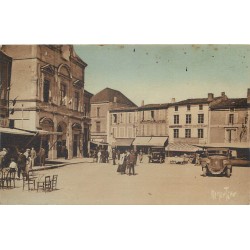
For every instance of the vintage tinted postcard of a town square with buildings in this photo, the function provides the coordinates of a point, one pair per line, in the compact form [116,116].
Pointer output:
[124,124]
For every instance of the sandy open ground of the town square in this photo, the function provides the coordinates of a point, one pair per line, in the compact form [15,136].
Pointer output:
[92,183]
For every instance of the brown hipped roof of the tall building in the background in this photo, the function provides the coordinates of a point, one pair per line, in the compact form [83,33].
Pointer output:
[108,95]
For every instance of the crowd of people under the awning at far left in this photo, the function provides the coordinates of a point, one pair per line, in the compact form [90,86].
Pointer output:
[20,160]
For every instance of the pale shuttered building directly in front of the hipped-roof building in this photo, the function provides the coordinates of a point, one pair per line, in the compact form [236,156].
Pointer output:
[122,127]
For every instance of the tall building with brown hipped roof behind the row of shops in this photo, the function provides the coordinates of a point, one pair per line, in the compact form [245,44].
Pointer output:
[101,103]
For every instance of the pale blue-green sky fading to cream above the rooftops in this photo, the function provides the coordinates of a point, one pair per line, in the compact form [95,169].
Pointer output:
[157,73]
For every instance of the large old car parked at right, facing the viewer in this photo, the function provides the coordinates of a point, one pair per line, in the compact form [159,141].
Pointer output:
[217,162]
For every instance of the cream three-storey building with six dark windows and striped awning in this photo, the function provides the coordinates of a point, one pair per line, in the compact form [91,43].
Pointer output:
[189,122]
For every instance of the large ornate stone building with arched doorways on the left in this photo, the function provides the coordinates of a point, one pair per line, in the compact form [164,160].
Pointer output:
[47,84]
